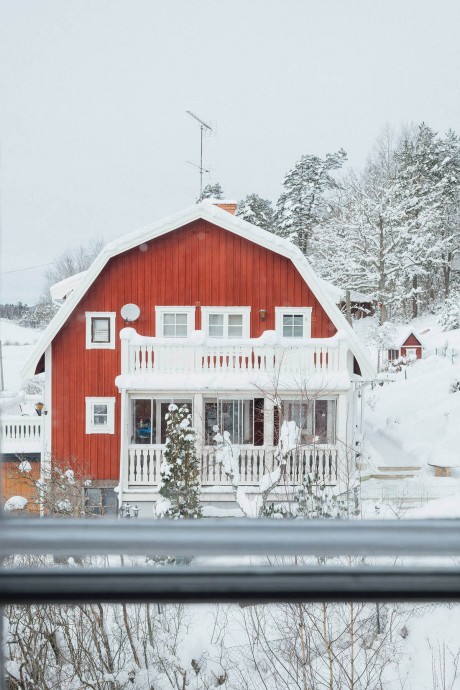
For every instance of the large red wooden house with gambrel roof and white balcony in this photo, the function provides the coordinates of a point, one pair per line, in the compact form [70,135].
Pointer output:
[232,321]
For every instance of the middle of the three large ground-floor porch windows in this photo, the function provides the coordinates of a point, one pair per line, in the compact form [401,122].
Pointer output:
[243,419]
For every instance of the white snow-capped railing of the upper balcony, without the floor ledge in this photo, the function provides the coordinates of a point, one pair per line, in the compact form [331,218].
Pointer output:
[198,354]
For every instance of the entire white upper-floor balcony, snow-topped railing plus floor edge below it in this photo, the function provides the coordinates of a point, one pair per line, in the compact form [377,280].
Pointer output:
[164,362]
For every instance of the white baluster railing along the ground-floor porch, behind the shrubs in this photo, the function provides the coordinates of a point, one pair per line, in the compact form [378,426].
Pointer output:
[144,466]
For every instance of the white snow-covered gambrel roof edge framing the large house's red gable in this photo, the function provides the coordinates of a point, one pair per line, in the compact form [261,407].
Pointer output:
[227,221]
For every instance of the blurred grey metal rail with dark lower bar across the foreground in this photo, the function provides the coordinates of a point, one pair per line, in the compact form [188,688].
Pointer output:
[207,539]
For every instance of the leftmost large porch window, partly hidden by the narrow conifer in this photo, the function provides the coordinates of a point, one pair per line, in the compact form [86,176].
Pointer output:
[148,423]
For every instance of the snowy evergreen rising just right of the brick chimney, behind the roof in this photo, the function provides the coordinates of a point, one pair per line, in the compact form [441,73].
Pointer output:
[302,206]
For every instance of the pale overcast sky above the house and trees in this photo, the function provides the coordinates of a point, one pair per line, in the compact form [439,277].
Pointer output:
[94,135]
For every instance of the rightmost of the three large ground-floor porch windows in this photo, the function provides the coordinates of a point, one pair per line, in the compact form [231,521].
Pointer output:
[316,419]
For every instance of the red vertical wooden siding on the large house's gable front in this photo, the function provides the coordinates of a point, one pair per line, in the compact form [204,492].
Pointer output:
[199,264]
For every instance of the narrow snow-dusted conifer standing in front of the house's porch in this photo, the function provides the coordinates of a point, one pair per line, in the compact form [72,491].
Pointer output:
[180,485]
